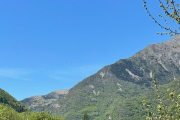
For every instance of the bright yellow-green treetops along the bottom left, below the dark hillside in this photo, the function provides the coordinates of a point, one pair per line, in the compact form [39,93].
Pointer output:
[8,113]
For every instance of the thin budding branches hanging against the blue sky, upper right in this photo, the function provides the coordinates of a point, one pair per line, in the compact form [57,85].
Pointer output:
[171,10]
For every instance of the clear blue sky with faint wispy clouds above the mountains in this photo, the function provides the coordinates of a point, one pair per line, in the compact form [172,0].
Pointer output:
[51,45]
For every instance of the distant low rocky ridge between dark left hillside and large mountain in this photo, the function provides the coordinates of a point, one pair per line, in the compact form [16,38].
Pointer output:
[38,102]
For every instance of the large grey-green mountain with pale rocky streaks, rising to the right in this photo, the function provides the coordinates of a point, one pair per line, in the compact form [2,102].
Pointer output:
[100,94]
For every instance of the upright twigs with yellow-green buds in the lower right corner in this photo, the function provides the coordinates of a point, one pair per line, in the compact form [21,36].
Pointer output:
[164,112]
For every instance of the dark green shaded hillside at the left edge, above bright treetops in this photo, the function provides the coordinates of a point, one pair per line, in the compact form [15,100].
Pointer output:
[7,99]
